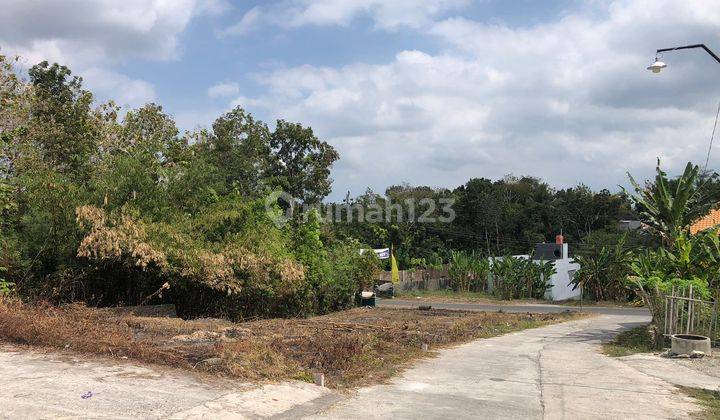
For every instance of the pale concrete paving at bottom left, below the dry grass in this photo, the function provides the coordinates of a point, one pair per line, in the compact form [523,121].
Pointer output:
[34,385]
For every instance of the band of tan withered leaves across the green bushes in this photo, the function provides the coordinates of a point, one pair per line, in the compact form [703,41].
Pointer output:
[230,269]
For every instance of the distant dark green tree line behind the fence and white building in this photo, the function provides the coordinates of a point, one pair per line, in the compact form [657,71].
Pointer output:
[504,217]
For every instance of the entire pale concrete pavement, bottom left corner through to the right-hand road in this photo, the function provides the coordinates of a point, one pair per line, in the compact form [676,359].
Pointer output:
[551,372]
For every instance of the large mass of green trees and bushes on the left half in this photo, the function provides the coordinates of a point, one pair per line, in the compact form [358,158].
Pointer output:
[110,212]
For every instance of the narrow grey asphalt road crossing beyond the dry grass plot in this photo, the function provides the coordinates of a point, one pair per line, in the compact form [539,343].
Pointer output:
[529,307]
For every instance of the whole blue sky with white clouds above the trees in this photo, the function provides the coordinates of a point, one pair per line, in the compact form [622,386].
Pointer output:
[424,92]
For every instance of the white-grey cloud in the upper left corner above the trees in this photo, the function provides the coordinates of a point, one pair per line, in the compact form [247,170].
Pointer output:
[92,36]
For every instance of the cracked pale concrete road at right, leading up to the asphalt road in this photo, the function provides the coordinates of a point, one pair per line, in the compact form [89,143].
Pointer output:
[553,372]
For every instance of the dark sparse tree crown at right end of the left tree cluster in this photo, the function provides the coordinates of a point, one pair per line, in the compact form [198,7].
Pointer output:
[300,162]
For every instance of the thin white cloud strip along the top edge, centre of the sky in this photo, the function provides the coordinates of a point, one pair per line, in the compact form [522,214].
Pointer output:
[386,14]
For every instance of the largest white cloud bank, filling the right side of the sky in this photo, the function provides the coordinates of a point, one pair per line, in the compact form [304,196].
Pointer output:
[569,100]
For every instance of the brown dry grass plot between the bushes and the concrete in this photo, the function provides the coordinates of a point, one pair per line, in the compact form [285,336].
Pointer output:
[351,348]
